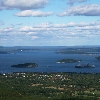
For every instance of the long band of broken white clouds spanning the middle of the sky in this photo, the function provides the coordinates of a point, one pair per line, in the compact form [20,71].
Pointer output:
[50,28]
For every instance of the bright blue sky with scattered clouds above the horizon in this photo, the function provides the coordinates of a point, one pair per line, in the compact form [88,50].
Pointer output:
[49,22]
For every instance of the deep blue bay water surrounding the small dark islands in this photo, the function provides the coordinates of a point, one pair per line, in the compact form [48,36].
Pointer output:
[46,60]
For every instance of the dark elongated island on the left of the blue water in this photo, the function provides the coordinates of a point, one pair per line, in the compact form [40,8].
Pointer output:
[25,65]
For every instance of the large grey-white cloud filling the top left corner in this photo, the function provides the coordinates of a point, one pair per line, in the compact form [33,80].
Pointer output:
[22,4]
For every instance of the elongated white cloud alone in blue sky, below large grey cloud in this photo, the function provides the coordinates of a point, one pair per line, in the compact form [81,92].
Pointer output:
[29,13]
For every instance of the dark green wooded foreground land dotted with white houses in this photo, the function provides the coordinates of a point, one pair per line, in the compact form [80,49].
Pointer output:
[50,86]
